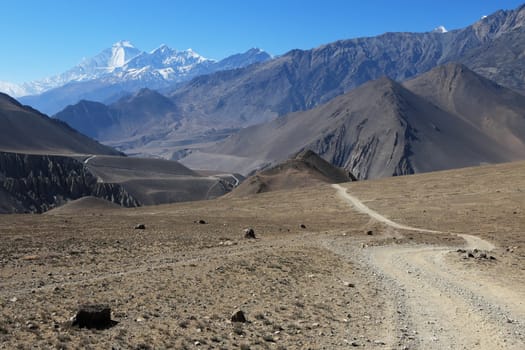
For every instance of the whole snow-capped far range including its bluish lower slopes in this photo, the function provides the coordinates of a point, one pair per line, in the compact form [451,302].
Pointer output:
[120,70]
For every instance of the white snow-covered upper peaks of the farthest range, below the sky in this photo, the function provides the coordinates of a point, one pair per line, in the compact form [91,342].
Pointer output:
[123,63]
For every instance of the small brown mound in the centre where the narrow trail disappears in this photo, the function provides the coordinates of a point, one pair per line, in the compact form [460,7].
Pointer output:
[306,169]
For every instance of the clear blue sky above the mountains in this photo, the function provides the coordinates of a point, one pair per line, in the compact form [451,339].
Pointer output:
[41,38]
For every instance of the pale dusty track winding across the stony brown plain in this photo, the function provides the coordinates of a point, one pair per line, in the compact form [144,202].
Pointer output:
[441,307]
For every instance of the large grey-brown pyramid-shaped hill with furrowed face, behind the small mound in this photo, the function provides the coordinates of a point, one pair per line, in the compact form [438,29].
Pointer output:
[383,129]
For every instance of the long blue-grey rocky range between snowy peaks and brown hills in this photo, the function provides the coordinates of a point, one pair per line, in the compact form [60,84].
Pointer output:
[212,106]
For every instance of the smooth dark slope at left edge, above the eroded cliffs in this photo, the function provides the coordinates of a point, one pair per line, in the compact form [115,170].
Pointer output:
[23,129]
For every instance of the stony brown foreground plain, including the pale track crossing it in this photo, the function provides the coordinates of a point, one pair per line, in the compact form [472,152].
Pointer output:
[377,268]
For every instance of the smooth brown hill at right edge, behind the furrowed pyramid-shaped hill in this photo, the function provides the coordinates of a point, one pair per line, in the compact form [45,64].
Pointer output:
[496,111]
